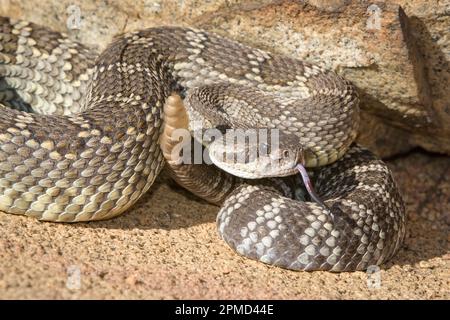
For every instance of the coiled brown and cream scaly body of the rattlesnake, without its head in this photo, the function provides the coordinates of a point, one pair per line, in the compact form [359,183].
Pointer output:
[80,140]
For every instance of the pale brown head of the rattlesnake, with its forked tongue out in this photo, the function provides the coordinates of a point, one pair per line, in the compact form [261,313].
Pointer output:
[257,153]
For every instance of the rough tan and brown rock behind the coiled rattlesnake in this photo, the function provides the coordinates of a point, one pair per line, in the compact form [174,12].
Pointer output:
[398,58]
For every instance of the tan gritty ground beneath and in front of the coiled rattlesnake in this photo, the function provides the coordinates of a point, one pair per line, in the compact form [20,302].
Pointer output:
[166,247]
